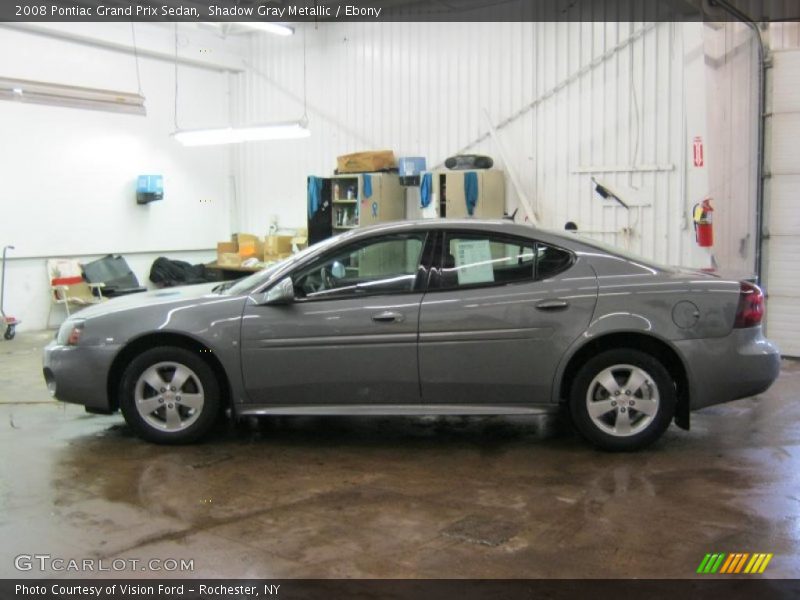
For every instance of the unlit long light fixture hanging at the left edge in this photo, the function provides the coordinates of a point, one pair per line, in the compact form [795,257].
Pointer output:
[70,96]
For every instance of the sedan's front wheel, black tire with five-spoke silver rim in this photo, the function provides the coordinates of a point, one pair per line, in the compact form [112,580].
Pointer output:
[195,421]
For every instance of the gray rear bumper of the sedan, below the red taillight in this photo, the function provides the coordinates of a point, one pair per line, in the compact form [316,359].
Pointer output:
[739,365]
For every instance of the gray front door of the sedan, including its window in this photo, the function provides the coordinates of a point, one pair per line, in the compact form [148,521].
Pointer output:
[351,335]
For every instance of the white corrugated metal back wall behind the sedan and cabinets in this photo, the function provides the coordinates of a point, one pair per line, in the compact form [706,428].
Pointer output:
[567,98]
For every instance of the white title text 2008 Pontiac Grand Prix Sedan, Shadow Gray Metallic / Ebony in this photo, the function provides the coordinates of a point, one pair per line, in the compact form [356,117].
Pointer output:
[138,10]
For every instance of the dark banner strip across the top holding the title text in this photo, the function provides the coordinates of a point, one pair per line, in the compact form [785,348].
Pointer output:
[396,10]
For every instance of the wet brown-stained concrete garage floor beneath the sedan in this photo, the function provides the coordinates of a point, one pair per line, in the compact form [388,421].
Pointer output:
[396,497]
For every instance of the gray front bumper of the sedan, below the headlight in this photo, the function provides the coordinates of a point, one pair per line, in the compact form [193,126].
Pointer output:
[79,374]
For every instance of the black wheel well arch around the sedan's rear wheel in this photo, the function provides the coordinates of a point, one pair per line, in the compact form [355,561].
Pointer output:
[638,341]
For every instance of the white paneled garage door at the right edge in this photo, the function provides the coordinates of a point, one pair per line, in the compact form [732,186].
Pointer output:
[783,205]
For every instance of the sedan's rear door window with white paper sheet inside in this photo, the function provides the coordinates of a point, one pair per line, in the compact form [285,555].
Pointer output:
[470,260]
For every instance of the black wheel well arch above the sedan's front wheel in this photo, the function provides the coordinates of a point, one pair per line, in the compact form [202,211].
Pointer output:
[139,345]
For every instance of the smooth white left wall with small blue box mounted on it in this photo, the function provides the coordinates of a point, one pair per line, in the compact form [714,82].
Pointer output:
[69,174]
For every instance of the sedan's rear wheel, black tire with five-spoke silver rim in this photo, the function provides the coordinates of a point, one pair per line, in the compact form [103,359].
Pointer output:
[610,431]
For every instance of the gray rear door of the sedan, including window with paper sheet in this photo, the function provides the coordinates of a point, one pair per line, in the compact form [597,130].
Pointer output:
[505,311]
